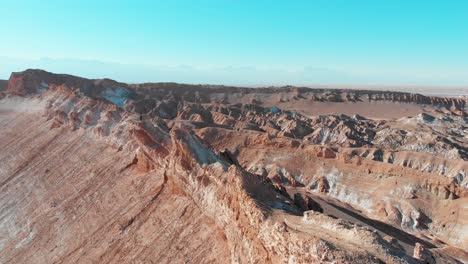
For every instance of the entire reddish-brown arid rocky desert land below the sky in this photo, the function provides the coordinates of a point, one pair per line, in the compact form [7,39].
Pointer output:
[97,171]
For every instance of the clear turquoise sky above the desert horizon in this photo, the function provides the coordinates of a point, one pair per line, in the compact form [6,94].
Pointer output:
[419,42]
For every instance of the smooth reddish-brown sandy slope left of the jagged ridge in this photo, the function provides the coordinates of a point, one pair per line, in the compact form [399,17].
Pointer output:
[67,197]
